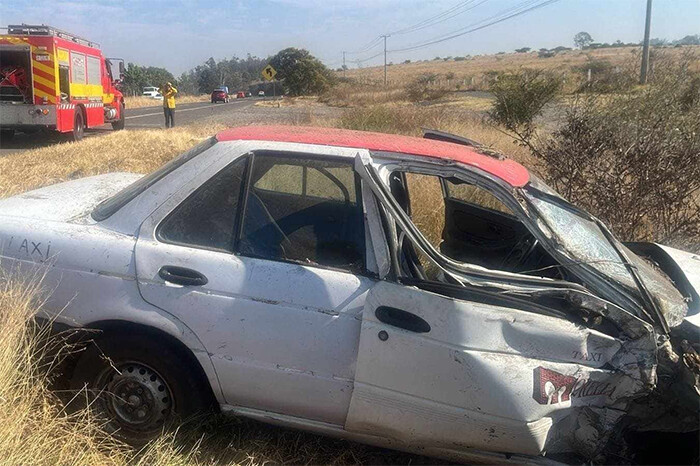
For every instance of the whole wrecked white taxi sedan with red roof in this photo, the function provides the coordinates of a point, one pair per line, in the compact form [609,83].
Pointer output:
[277,273]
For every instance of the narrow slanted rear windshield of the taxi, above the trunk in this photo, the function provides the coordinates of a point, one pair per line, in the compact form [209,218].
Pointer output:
[108,207]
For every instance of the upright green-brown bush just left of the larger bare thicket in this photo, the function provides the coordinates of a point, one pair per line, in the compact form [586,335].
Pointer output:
[521,97]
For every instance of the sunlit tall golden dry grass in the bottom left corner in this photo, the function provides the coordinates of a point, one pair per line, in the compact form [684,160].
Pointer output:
[34,429]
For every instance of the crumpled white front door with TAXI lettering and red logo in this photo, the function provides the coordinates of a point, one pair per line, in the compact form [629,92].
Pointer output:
[451,367]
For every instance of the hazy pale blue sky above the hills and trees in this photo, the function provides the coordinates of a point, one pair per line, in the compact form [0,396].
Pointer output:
[180,34]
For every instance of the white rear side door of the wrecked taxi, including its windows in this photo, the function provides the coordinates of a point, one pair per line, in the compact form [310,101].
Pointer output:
[262,259]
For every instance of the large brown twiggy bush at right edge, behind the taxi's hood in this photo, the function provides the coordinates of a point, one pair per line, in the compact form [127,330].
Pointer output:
[633,159]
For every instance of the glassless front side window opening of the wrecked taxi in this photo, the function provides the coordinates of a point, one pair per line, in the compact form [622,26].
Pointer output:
[465,223]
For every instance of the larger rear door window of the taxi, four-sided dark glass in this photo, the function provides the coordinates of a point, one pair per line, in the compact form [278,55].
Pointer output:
[304,210]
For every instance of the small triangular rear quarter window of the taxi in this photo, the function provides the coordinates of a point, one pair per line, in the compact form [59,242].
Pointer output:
[207,218]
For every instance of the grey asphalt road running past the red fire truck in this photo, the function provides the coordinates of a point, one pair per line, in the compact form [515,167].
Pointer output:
[139,118]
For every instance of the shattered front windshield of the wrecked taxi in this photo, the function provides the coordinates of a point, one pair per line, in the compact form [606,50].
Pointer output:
[587,244]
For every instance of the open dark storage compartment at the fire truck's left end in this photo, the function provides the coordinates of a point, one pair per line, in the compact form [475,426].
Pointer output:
[15,74]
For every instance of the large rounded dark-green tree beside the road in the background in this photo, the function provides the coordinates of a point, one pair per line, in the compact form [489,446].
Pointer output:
[301,73]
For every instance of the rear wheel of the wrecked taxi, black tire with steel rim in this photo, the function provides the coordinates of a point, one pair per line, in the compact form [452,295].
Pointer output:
[139,387]
